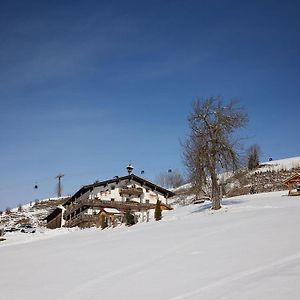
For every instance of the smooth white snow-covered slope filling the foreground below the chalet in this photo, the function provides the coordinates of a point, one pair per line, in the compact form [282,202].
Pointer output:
[250,249]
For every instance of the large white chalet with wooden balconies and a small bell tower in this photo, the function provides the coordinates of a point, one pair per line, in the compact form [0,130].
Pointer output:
[108,202]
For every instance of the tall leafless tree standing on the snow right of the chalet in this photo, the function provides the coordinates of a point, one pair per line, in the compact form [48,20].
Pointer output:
[211,146]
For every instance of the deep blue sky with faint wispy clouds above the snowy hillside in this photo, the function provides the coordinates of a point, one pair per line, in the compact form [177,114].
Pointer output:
[86,86]
